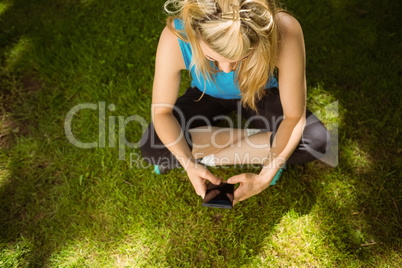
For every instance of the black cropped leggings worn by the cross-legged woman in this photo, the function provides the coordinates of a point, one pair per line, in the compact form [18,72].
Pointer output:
[191,113]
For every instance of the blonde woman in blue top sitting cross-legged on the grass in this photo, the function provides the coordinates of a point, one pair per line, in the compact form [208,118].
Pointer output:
[232,48]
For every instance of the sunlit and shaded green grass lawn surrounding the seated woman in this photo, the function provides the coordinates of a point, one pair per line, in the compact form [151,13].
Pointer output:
[64,206]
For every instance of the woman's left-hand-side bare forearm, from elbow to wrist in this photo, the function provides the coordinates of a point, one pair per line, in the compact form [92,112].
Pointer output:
[170,133]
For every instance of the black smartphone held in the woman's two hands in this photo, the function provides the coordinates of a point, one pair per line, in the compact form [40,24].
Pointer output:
[219,196]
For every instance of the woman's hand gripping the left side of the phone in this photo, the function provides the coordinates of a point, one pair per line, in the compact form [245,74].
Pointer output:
[198,175]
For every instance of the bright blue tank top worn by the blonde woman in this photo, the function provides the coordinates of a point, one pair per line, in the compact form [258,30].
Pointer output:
[225,87]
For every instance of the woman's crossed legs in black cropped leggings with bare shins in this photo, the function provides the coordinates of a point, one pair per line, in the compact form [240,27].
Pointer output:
[234,146]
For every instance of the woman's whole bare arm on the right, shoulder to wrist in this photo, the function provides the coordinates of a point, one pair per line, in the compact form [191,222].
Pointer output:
[292,88]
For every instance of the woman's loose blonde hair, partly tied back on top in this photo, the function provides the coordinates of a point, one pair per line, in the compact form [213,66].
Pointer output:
[254,30]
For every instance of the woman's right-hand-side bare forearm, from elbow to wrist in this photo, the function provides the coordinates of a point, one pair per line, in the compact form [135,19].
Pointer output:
[286,140]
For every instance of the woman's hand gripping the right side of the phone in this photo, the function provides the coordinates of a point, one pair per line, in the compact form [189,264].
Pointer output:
[250,184]
